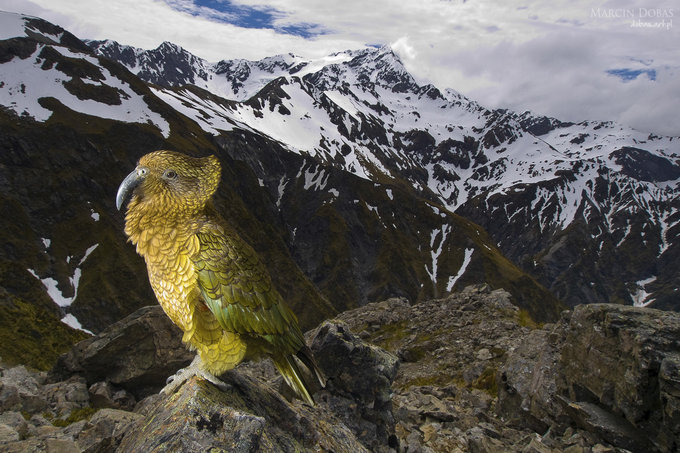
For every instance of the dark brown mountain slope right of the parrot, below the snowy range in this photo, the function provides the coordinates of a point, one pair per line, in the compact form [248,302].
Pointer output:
[359,242]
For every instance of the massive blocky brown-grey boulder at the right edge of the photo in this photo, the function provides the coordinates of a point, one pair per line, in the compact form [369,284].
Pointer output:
[611,363]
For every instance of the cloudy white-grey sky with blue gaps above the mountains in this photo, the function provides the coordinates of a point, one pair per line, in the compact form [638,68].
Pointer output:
[571,59]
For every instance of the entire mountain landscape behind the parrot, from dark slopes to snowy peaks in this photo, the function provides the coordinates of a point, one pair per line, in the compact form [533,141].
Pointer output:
[353,182]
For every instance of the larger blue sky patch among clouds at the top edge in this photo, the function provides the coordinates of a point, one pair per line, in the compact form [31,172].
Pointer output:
[244,16]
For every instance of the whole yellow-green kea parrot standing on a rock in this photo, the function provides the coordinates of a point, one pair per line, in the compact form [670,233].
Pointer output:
[208,280]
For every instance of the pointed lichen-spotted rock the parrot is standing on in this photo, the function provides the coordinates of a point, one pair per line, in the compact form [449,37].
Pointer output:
[249,416]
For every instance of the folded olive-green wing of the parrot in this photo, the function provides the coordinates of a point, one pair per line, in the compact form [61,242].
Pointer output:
[238,291]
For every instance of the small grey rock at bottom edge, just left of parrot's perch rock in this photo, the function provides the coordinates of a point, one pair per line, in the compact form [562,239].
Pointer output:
[105,429]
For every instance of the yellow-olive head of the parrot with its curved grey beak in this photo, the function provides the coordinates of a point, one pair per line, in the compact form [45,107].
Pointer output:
[167,180]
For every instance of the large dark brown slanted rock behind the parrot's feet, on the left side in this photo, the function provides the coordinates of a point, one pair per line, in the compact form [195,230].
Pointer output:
[137,354]
